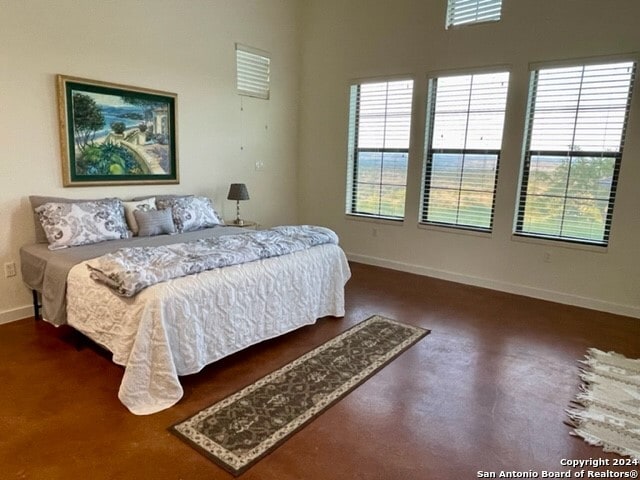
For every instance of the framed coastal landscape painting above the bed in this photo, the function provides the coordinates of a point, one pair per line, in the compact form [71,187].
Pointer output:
[114,134]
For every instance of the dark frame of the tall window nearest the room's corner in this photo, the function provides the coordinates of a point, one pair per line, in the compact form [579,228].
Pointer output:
[351,196]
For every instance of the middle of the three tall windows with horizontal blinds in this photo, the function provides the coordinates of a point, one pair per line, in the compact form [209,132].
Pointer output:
[465,117]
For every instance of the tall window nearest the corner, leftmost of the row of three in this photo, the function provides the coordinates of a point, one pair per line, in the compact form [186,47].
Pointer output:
[378,153]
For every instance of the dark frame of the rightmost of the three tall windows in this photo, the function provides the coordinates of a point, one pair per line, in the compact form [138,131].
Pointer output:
[528,153]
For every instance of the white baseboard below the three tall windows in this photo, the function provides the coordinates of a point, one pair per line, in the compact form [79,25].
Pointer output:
[550,295]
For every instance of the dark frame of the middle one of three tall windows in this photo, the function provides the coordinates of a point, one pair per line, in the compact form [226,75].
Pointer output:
[429,151]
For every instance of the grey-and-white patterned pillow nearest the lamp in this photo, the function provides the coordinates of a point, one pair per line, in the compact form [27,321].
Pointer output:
[191,213]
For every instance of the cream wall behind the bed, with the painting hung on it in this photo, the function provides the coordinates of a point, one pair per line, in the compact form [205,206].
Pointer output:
[186,47]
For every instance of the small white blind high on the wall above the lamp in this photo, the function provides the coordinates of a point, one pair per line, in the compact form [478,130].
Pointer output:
[253,72]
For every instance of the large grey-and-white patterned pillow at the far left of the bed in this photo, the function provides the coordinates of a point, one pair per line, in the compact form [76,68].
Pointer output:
[82,223]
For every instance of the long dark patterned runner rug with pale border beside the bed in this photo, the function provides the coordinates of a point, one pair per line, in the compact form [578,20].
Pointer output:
[239,430]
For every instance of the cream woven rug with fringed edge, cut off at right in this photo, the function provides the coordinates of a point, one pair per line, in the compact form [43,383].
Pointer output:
[607,411]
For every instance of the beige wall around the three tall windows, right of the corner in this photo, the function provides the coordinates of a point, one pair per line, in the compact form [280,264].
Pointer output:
[345,40]
